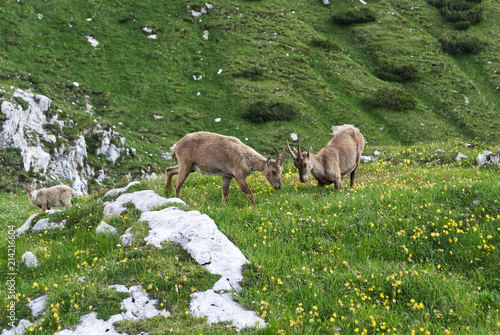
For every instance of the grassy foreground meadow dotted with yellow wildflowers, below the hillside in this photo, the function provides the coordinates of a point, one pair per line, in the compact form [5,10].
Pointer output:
[412,248]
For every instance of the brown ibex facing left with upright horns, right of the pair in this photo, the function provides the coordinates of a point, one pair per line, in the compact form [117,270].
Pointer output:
[336,160]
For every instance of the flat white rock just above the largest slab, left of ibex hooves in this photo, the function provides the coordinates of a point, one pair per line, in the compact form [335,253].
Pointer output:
[143,200]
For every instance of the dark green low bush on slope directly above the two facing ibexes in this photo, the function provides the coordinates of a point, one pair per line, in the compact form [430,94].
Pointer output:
[263,111]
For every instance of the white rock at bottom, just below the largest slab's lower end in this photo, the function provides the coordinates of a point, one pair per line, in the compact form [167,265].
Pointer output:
[222,308]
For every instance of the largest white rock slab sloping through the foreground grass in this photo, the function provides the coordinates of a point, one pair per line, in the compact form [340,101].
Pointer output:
[199,235]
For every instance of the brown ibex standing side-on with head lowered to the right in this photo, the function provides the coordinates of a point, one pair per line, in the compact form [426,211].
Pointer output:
[216,154]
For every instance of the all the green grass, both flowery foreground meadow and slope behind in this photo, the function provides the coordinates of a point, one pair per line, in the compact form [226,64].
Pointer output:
[412,248]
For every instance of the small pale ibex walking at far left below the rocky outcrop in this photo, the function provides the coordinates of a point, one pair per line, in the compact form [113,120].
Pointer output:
[54,196]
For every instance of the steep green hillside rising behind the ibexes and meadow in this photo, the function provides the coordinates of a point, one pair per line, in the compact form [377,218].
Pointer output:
[280,58]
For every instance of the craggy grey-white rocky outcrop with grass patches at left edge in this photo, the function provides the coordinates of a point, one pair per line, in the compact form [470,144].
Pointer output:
[38,130]
